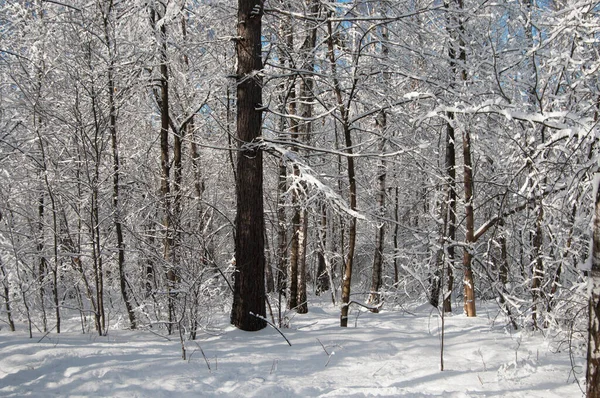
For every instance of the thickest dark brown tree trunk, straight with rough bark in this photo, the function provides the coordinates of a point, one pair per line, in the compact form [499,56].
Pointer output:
[248,310]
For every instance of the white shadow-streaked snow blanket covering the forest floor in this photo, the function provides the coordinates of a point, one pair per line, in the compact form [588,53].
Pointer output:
[393,353]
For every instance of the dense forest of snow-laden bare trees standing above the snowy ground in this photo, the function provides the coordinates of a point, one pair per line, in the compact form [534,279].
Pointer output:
[167,162]
